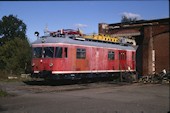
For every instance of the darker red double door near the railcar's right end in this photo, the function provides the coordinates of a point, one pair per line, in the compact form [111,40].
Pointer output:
[122,60]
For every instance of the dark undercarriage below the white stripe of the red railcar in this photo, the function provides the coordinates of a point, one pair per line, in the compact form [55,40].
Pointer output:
[116,76]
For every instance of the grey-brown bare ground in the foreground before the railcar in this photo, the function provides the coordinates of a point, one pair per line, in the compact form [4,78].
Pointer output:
[100,97]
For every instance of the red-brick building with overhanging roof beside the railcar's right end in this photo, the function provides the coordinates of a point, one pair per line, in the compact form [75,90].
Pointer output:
[152,38]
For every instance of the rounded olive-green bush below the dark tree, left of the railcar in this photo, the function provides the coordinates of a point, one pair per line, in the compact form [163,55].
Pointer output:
[15,56]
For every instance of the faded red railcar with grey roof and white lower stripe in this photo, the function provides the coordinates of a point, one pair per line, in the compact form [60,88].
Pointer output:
[65,57]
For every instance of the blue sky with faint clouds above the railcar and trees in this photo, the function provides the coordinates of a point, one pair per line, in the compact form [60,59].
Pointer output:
[85,15]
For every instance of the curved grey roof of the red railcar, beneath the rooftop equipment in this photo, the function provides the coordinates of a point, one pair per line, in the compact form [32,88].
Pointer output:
[78,42]
